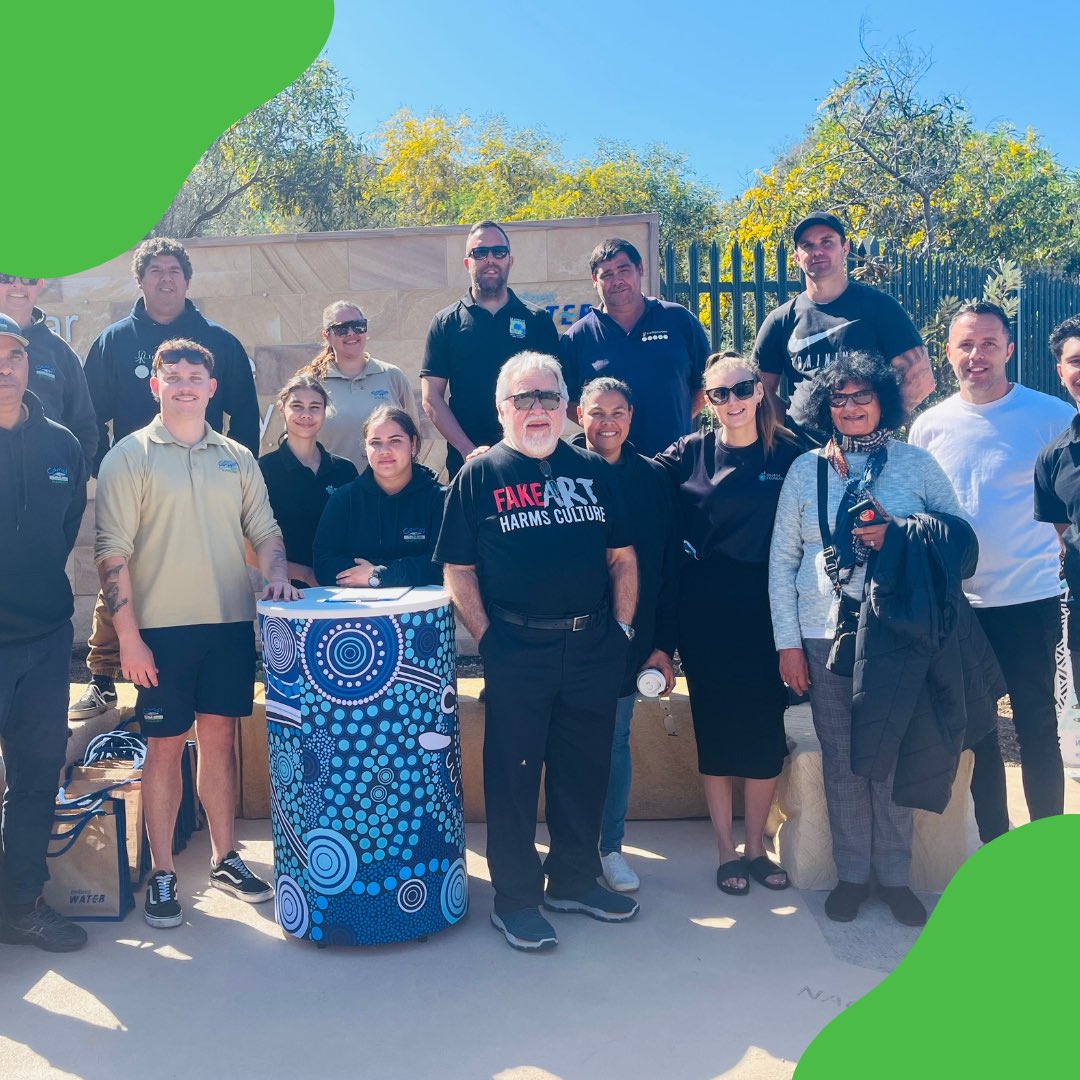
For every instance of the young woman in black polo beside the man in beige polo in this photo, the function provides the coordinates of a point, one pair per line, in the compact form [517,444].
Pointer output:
[302,476]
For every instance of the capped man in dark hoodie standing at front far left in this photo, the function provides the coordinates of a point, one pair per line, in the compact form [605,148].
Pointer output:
[42,504]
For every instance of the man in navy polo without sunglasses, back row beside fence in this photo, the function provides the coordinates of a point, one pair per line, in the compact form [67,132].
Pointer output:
[657,348]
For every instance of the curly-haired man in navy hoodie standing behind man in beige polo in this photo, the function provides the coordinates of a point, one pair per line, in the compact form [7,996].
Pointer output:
[118,374]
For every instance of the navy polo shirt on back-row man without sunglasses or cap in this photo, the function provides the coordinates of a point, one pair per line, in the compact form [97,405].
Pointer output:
[661,360]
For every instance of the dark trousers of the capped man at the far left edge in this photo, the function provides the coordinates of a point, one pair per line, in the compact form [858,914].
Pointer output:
[34,698]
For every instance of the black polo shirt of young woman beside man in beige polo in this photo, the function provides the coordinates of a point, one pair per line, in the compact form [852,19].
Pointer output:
[299,496]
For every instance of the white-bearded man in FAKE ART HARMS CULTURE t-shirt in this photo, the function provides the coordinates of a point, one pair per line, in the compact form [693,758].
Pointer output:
[539,563]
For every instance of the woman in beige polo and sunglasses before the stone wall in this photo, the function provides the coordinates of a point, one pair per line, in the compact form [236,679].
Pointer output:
[357,383]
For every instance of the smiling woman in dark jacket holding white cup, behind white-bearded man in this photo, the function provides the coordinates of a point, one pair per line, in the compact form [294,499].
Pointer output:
[605,413]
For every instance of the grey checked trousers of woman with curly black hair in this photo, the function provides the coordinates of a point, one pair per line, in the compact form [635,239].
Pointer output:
[869,830]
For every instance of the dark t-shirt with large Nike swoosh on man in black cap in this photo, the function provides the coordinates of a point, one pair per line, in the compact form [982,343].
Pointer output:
[801,337]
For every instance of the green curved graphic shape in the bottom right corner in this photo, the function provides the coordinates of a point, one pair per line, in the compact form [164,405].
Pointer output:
[990,988]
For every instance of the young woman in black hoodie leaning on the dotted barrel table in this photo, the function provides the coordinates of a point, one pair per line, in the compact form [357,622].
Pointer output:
[381,530]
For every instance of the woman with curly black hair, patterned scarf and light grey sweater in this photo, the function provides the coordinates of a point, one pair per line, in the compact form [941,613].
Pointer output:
[872,478]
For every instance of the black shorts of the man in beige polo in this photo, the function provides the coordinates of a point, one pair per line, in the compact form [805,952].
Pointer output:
[205,669]
